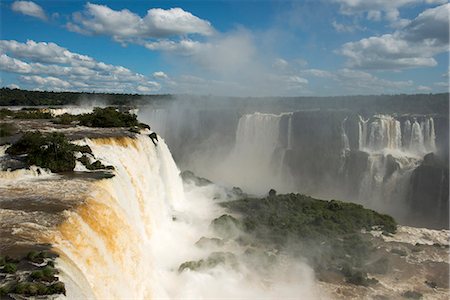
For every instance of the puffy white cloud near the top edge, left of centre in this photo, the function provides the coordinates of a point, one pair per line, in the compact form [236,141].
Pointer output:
[126,26]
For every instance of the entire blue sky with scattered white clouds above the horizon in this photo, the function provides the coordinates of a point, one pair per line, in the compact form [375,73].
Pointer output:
[246,48]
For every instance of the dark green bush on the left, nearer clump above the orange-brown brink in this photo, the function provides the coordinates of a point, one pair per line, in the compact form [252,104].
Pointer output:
[53,151]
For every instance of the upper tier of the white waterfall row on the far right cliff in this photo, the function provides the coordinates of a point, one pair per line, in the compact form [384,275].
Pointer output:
[383,132]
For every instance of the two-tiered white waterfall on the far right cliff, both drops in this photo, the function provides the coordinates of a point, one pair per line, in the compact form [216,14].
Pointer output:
[394,150]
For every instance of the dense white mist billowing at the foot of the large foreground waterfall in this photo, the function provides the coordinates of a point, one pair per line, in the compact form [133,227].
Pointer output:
[242,276]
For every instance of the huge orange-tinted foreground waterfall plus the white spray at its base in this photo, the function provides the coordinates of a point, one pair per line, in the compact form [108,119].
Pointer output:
[127,236]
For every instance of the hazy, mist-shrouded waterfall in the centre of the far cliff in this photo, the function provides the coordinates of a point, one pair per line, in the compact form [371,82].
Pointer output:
[256,161]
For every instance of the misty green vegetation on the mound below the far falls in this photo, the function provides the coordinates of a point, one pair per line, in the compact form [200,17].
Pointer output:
[329,234]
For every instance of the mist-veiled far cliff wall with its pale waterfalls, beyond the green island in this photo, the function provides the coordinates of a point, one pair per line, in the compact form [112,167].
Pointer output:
[307,147]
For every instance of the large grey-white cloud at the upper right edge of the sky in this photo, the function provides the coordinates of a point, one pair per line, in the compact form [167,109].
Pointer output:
[413,46]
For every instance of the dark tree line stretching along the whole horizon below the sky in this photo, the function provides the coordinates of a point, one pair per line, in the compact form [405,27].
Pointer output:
[402,103]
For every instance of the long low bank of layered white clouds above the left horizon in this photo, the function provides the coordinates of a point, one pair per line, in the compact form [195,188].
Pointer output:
[50,66]
